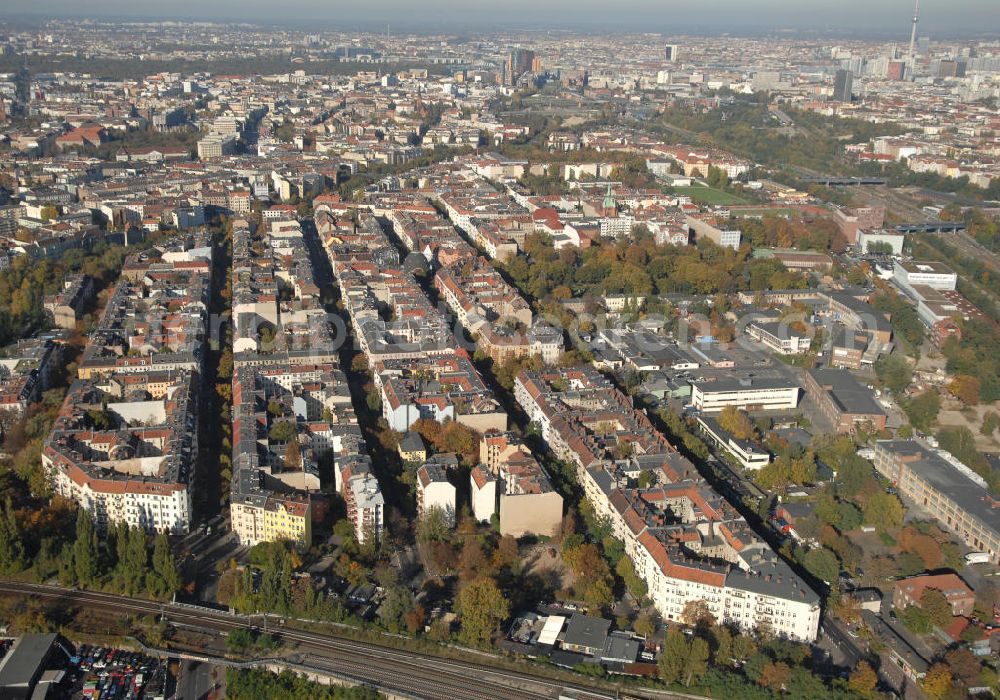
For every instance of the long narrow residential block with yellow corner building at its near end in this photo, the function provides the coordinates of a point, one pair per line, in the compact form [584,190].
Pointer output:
[291,403]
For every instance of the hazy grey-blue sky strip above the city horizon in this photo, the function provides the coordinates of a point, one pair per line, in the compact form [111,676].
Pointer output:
[937,16]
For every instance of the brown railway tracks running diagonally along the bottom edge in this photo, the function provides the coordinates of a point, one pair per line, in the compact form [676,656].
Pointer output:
[410,673]
